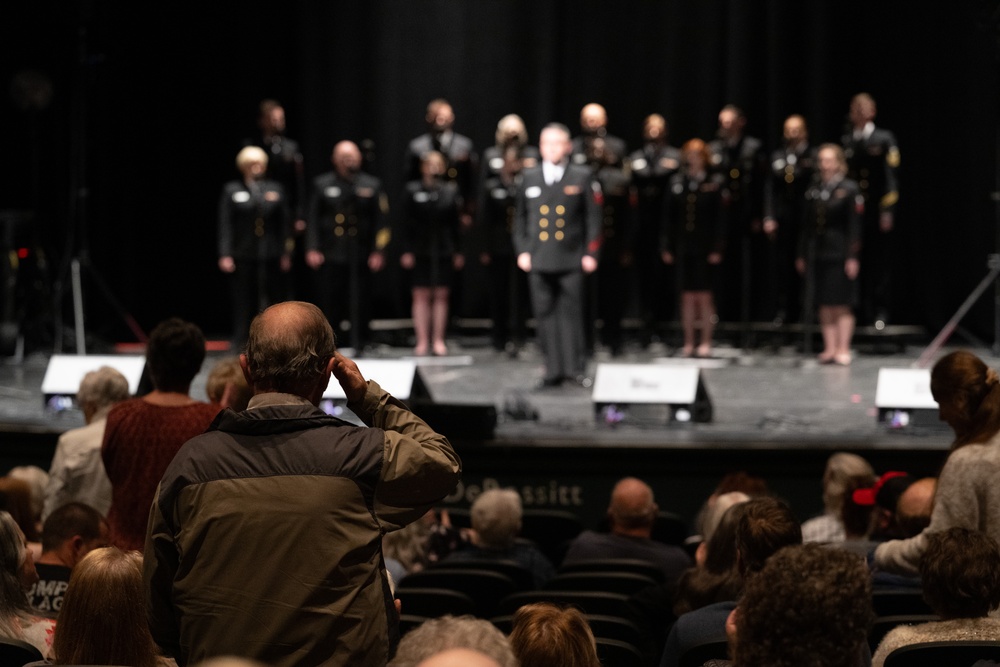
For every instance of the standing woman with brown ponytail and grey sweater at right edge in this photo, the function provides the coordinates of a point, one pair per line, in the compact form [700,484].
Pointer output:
[968,394]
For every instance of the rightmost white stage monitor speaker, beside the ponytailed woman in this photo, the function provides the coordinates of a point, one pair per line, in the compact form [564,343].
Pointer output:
[903,398]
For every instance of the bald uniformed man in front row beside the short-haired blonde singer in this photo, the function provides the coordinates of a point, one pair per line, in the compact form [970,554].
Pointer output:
[345,239]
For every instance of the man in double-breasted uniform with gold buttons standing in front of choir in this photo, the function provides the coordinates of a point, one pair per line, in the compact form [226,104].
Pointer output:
[557,239]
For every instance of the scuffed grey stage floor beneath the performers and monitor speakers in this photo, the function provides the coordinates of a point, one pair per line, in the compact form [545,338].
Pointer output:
[762,399]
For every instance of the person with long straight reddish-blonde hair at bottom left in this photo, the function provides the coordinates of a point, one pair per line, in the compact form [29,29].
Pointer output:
[102,621]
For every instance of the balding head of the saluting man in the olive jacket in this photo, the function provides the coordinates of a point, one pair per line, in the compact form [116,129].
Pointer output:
[289,350]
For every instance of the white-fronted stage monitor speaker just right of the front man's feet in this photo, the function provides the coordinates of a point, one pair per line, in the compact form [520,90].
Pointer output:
[650,393]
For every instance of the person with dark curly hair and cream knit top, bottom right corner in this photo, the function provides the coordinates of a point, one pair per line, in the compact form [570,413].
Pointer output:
[961,583]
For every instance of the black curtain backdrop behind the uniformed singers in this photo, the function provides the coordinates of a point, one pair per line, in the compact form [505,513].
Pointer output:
[170,91]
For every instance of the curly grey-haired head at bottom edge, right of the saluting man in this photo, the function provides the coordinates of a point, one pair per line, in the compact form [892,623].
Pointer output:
[453,632]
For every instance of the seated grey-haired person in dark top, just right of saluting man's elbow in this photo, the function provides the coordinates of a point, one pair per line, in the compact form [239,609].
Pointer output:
[496,522]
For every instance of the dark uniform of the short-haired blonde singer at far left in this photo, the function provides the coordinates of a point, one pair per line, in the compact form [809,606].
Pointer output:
[255,230]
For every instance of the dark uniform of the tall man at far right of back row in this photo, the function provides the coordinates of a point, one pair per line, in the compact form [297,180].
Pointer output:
[873,163]
